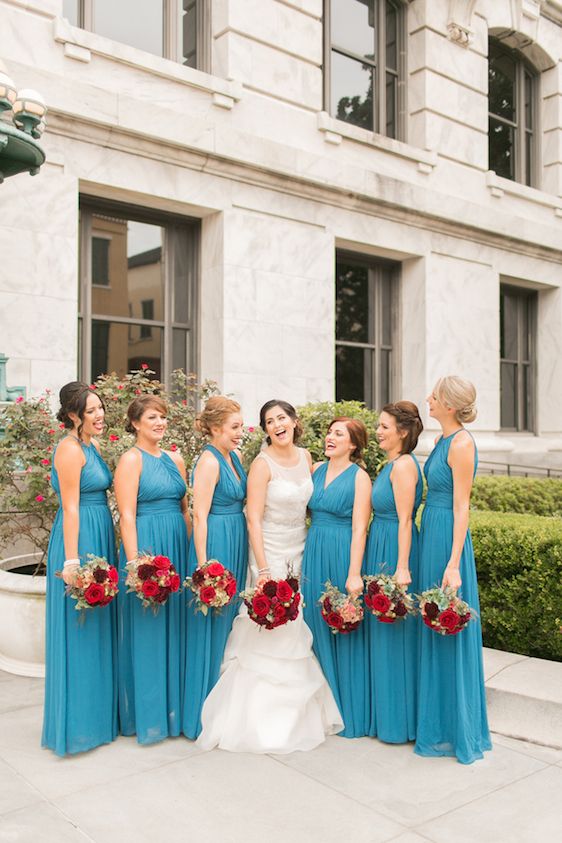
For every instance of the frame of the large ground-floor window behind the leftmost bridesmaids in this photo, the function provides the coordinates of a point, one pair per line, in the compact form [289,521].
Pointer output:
[172,225]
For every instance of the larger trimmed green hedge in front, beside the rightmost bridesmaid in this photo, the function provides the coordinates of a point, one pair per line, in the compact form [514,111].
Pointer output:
[519,564]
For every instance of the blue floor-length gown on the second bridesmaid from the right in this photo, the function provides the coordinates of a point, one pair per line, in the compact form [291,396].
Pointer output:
[391,648]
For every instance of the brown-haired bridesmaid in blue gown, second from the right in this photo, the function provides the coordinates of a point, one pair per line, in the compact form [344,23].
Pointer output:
[392,547]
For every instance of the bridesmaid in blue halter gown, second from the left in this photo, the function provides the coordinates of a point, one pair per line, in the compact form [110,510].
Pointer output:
[151,496]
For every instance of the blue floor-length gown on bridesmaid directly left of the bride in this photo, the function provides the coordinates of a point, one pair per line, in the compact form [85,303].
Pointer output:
[227,542]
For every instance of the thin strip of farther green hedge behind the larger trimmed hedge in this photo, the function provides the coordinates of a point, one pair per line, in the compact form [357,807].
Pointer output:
[530,495]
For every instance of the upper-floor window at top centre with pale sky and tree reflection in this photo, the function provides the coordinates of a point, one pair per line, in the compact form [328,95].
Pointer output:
[363,40]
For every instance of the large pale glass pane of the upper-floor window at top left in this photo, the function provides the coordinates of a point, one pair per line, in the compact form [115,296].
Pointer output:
[125,22]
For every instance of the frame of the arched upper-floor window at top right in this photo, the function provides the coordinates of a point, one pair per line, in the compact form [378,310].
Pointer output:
[523,69]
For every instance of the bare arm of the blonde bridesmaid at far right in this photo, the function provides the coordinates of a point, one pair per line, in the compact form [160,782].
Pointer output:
[461,460]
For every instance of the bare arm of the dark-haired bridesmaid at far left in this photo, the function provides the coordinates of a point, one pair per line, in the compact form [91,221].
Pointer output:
[69,461]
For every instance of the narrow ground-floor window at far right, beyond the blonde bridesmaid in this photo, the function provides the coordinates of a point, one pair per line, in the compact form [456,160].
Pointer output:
[517,353]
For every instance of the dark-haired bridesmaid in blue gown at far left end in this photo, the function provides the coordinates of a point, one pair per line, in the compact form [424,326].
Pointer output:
[80,685]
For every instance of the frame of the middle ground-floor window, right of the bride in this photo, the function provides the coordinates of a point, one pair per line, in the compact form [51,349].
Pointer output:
[375,267]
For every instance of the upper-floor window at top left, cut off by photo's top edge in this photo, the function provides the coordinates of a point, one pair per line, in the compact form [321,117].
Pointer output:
[175,29]
